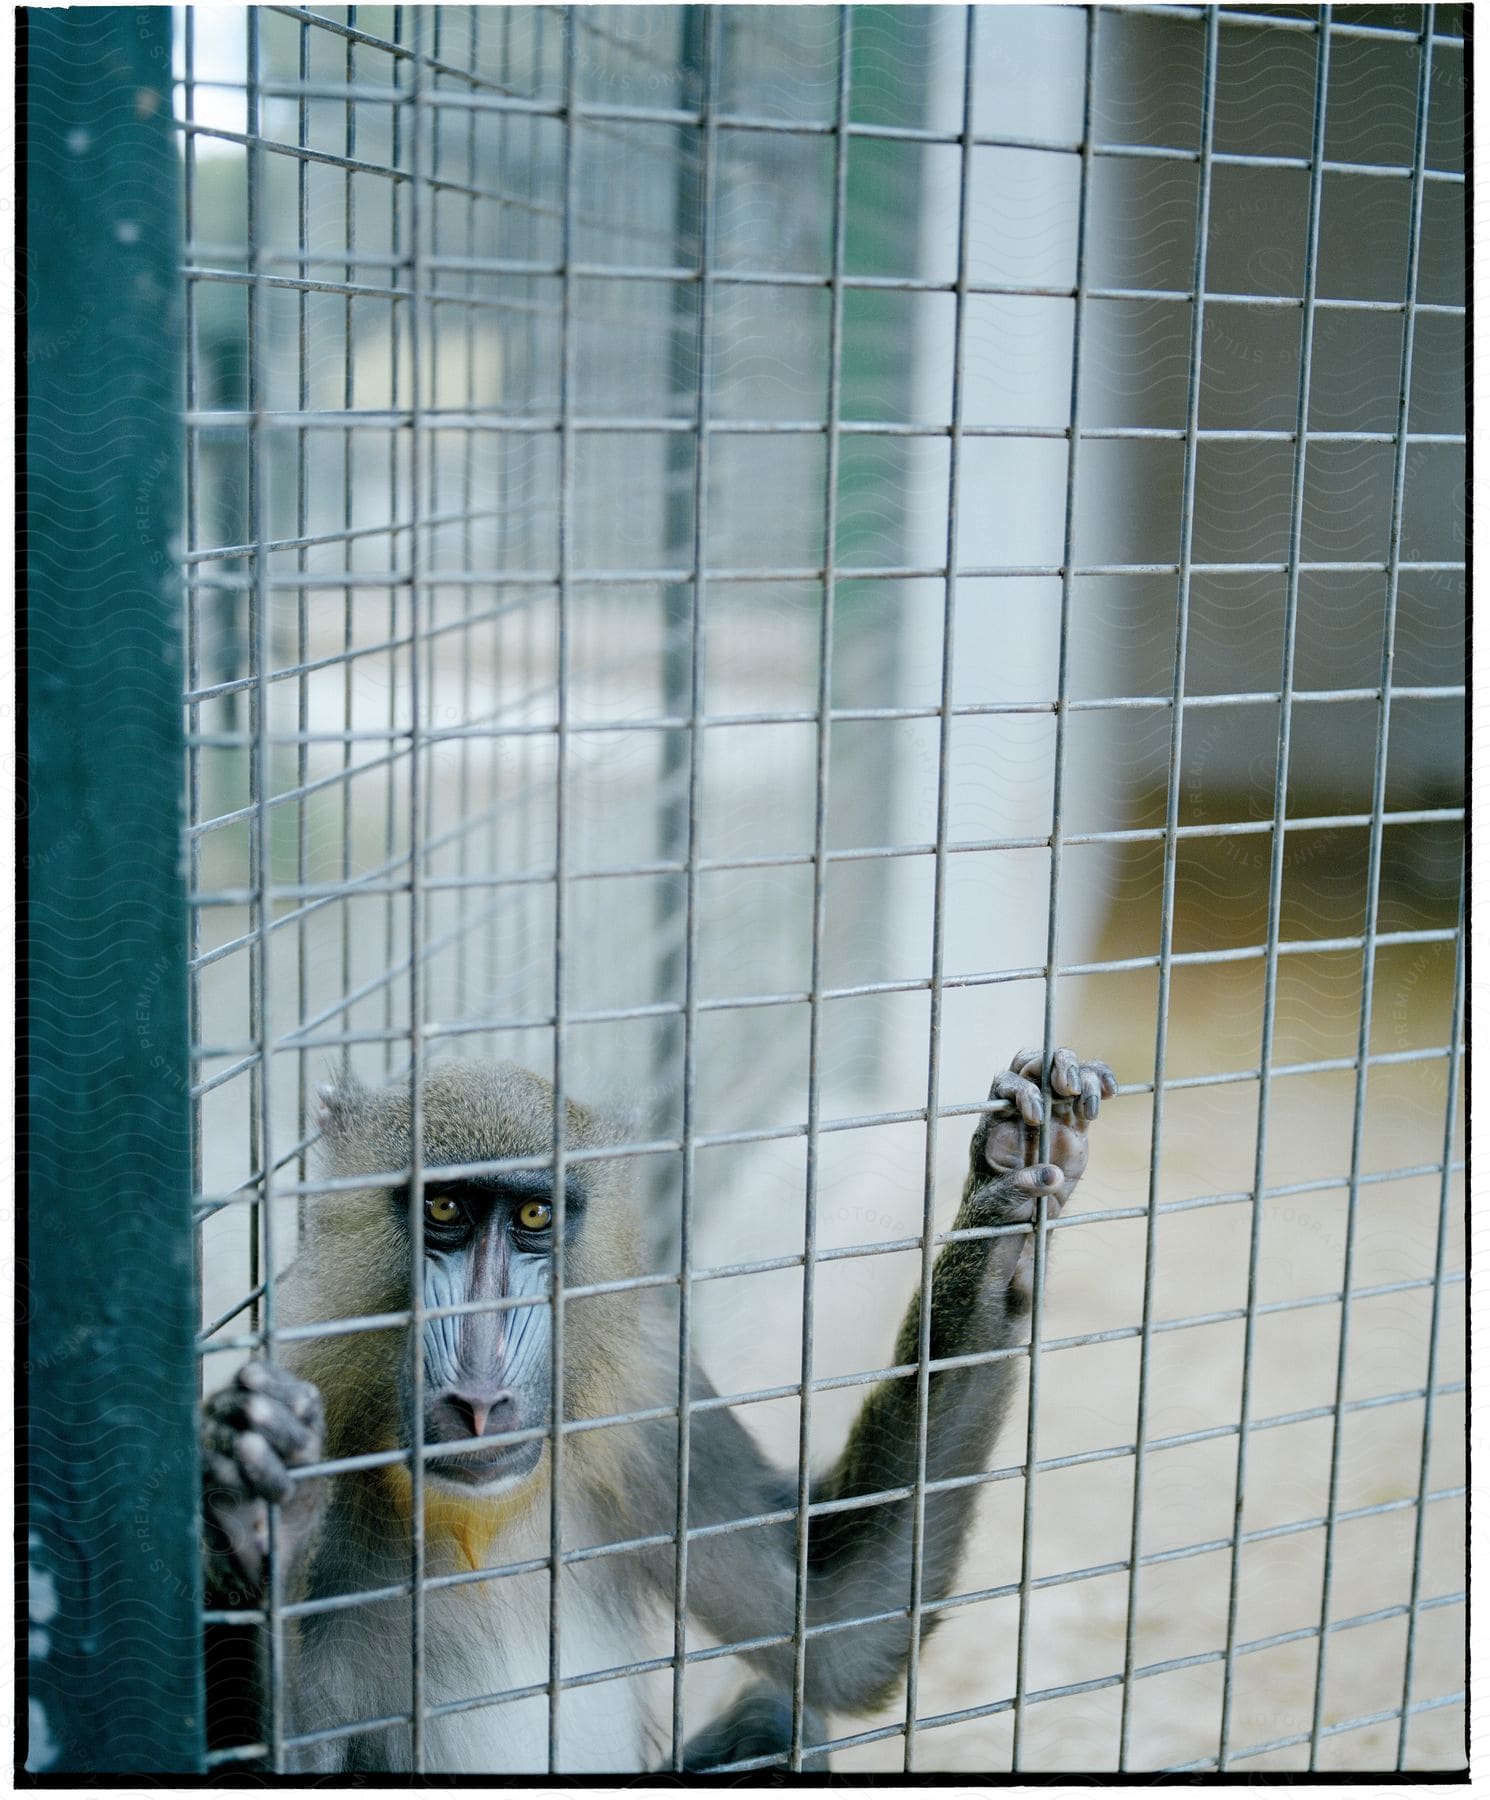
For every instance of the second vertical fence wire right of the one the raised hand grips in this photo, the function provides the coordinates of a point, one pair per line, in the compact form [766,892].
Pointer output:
[1275,892]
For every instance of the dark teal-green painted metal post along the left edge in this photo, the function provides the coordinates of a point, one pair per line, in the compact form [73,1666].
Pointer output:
[107,1239]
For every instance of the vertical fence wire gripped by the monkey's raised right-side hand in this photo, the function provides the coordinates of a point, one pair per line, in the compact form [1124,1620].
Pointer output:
[1068,559]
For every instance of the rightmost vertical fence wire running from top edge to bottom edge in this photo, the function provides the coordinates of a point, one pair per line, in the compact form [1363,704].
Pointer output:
[1374,867]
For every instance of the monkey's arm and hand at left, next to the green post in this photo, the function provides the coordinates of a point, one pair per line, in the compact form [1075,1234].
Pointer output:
[253,1434]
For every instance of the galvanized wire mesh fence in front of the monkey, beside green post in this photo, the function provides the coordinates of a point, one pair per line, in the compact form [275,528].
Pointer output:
[749,561]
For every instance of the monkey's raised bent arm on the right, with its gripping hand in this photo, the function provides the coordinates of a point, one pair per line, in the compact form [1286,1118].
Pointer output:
[859,1561]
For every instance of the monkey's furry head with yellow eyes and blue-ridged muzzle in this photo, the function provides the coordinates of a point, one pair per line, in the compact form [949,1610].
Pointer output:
[489,1239]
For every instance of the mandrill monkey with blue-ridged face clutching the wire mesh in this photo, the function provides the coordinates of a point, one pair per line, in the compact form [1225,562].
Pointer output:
[343,1671]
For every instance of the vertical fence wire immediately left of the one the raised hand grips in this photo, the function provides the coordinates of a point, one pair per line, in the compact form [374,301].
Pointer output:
[944,800]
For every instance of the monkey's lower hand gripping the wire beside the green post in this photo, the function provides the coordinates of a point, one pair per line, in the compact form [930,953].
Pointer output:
[255,1432]
